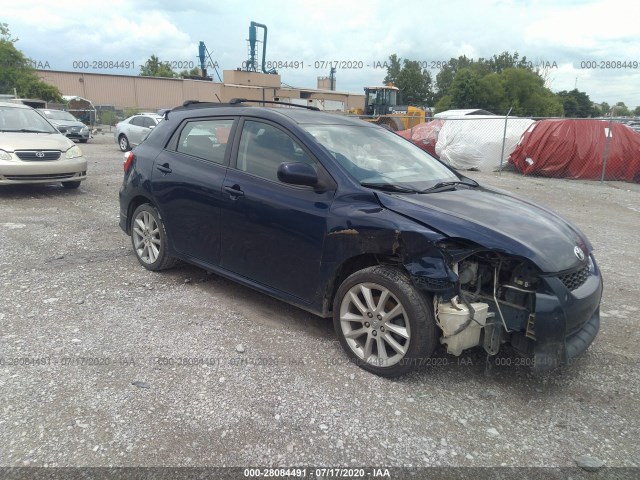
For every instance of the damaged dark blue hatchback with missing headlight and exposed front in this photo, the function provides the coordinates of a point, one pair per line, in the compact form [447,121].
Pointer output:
[346,219]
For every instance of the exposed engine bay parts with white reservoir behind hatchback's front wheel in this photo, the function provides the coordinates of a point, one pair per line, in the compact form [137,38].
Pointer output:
[495,298]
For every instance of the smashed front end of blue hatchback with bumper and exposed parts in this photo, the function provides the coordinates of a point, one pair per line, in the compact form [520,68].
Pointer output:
[487,298]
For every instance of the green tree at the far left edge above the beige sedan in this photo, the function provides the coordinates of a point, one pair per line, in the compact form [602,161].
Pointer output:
[16,72]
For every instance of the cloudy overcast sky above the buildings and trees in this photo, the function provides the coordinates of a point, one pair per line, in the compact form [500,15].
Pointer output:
[568,35]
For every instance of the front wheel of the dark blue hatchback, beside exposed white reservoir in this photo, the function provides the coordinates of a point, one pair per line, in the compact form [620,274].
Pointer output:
[383,322]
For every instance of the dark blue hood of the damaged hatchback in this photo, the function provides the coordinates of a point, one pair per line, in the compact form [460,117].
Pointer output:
[498,221]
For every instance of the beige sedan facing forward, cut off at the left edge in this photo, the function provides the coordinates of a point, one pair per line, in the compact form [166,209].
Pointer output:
[32,150]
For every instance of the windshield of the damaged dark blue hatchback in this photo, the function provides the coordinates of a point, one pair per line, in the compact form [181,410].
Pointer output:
[378,156]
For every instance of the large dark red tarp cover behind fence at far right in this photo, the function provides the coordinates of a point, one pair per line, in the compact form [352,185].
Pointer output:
[575,149]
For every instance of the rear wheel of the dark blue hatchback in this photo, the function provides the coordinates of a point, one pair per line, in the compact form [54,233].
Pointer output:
[149,239]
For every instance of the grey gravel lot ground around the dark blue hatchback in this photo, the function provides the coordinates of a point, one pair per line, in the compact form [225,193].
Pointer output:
[105,363]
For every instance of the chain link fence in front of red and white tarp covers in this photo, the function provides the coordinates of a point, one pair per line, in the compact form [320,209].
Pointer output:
[576,148]
